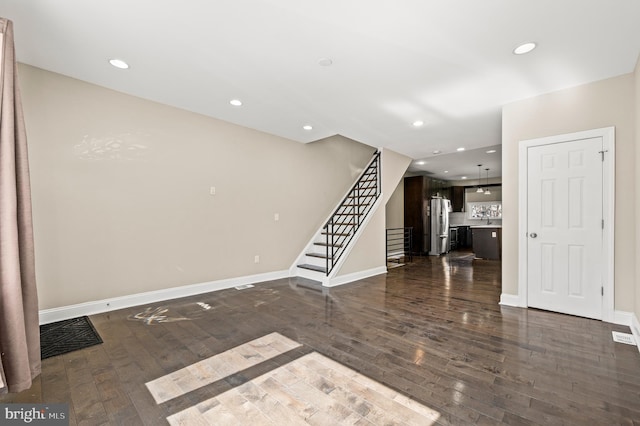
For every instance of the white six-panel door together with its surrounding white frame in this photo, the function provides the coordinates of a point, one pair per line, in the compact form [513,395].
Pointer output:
[566,223]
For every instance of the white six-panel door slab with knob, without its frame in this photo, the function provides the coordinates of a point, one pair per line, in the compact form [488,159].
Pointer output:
[565,227]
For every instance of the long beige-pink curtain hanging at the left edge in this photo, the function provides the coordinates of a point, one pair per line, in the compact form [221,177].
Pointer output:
[19,329]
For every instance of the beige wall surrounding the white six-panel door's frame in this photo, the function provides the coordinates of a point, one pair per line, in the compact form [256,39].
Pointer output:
[601,104]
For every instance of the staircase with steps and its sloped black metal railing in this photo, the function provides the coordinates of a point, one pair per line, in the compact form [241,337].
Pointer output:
[332,241]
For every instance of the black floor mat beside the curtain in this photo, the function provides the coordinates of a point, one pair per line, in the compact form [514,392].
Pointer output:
[61,337]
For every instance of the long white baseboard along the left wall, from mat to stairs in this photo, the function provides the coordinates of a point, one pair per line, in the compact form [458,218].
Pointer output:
[112,304]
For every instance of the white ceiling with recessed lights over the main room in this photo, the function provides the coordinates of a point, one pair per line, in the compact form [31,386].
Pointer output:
[447,63]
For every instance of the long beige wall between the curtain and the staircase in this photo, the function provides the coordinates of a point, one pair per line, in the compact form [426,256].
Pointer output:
[121,192]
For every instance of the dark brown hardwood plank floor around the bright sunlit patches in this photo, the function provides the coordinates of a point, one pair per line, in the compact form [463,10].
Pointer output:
[431,330]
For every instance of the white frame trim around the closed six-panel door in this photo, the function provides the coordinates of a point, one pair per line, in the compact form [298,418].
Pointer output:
[608,212]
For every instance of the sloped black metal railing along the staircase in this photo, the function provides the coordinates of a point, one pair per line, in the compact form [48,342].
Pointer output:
[350,214]
